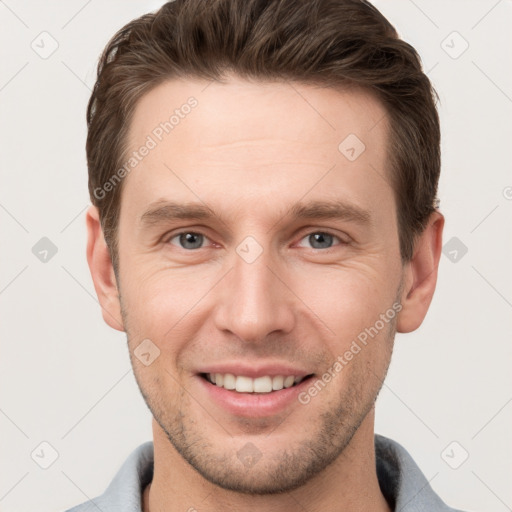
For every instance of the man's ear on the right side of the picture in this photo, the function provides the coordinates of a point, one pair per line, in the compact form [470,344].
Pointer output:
[420,275]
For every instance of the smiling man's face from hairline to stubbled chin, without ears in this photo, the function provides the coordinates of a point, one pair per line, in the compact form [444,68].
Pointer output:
[252,288]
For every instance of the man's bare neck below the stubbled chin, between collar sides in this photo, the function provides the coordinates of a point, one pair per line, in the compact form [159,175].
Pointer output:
[350,483]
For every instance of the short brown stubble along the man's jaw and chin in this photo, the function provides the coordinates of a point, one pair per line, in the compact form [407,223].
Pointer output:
[277,471]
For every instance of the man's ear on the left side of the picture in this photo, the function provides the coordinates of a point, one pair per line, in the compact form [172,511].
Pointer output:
[102,271]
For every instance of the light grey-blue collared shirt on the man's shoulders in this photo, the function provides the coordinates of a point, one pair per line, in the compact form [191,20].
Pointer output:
[400,479]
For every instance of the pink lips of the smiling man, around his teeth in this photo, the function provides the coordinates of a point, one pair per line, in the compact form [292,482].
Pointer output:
[253,405]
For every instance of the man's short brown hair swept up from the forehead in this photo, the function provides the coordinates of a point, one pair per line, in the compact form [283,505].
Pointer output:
[324,42]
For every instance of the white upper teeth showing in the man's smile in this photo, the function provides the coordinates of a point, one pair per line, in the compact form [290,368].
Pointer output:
[244,384]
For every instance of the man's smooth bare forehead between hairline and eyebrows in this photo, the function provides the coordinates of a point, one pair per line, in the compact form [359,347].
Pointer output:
[241,141]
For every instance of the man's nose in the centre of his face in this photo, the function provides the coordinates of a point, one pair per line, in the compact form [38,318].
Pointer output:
[254,301]
